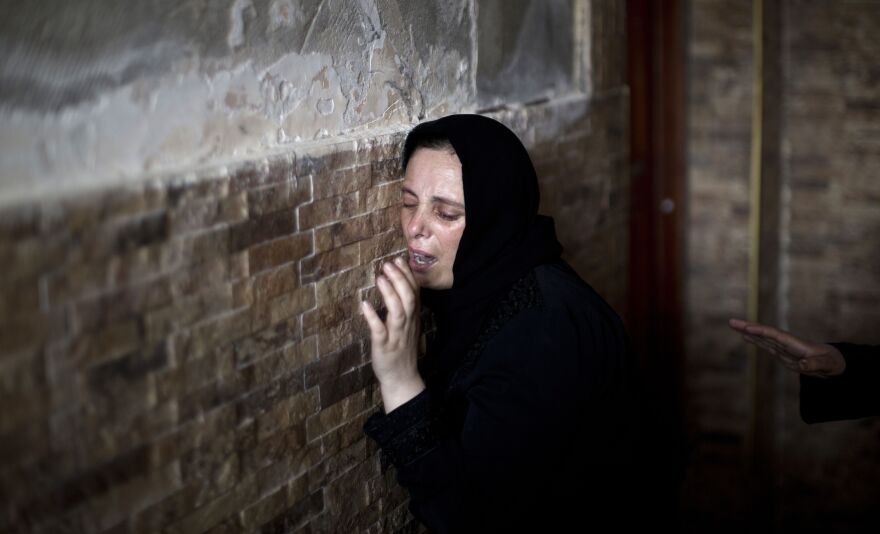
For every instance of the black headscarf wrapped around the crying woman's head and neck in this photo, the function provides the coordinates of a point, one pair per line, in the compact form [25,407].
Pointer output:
[504,237]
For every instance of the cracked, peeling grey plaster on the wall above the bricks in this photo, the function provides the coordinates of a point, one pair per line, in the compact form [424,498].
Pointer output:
[106,92]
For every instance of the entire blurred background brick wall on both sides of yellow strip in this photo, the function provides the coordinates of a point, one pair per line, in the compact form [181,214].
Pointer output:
[828,284]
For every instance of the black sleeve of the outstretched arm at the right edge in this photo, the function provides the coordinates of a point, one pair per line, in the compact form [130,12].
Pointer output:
[851,395]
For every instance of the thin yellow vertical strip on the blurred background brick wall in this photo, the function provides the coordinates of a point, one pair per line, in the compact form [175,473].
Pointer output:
[755,216]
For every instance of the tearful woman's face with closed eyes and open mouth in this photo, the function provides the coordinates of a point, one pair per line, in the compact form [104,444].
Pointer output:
[432,216]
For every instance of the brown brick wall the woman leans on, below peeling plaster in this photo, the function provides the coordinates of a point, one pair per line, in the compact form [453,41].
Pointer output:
[185,356]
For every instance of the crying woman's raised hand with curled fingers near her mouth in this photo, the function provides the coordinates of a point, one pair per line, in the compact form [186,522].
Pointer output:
[395,342]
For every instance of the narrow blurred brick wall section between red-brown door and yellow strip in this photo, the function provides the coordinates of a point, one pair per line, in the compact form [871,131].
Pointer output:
[719,109]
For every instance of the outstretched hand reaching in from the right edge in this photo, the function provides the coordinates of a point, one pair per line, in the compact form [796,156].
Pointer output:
[814,359]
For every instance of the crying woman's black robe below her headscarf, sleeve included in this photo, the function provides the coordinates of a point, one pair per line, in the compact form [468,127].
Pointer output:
[535,429]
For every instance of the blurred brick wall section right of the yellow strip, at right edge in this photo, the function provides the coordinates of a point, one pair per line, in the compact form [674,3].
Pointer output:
[828,472]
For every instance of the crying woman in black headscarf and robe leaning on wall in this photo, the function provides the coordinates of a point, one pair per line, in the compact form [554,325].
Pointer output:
[520,415]
